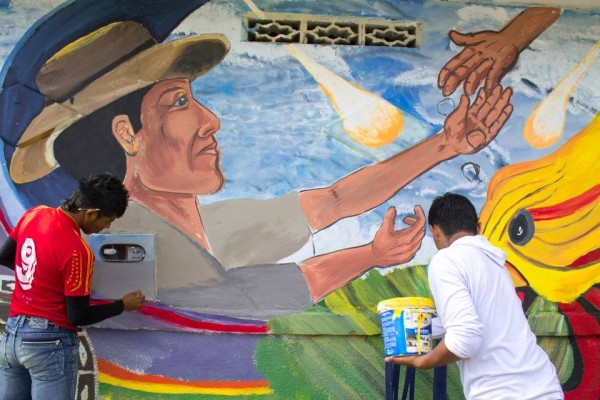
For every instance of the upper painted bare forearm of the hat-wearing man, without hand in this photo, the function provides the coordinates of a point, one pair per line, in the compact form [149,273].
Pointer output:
[372,185]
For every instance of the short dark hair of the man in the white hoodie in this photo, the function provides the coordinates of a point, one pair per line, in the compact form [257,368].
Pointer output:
[453,213]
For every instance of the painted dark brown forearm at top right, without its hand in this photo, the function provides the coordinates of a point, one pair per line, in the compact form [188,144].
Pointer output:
[529,24]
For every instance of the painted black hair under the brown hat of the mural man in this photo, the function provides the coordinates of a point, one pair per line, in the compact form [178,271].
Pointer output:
[92,137]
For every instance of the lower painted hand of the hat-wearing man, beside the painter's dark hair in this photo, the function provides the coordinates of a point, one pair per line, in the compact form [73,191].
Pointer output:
[391,246]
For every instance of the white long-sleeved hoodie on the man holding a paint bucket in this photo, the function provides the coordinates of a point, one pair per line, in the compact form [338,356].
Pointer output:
[486,327]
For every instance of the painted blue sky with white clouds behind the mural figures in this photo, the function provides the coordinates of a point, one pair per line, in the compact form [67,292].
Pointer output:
[279,132]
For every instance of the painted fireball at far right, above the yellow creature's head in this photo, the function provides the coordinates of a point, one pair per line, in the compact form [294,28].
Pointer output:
[546,124]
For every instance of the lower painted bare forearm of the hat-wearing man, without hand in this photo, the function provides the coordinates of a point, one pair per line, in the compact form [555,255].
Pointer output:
[329,272]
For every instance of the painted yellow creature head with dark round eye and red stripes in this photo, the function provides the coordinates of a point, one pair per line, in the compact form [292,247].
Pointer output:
[545,215]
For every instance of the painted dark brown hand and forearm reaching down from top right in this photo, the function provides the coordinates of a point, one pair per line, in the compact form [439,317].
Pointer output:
[489,55]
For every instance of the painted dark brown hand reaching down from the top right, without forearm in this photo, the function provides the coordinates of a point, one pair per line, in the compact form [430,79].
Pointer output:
[487,56]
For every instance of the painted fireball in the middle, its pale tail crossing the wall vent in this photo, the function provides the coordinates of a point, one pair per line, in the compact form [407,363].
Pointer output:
[366,117]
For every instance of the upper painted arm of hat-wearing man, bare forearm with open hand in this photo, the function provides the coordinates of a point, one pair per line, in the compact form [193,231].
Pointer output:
[467,129]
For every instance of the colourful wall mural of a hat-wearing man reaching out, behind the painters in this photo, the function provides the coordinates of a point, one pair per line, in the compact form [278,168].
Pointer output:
[283,187]
